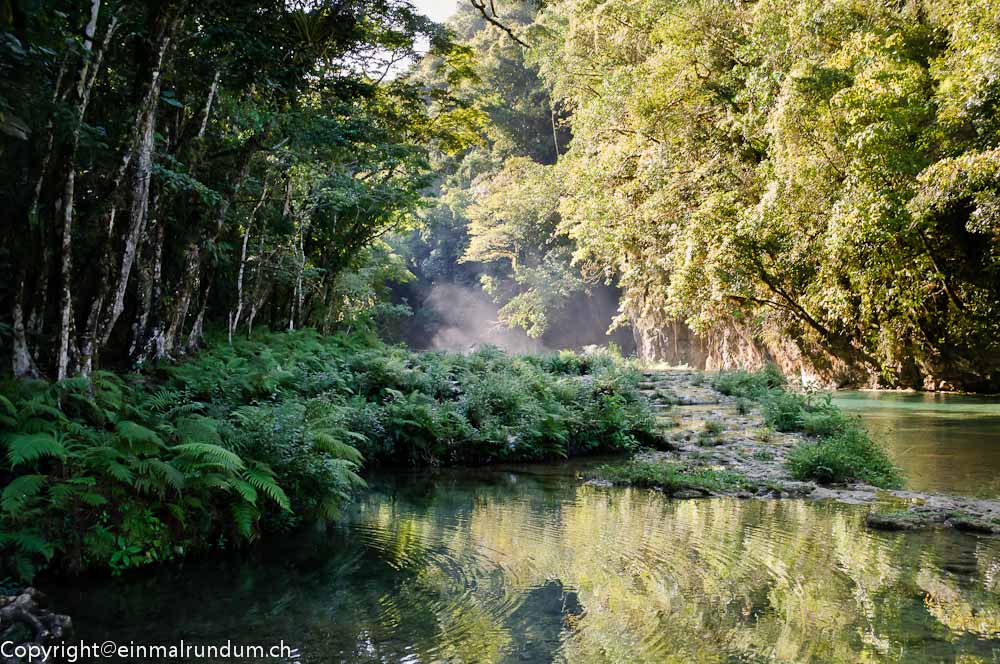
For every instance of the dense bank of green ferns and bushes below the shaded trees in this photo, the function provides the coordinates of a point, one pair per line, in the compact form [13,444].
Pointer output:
[124,471]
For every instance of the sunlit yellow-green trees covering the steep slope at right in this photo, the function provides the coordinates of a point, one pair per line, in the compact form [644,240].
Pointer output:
[817,179]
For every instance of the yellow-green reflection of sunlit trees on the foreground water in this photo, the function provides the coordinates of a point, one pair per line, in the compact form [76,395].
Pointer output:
[703,580]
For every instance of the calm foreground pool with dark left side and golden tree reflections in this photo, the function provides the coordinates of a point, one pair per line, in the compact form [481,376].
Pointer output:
[519,567]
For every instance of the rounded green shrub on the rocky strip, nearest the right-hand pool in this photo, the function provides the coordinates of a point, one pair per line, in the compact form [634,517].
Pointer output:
[848,455]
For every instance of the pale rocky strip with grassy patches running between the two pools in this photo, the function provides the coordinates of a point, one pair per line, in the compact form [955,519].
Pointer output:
[722,446]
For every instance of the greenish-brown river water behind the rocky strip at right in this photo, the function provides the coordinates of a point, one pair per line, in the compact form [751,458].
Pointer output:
[943,442]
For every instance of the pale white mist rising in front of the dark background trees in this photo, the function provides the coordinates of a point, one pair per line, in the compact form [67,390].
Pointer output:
[468,318]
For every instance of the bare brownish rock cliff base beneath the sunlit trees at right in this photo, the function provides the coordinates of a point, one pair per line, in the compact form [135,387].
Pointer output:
[735,346]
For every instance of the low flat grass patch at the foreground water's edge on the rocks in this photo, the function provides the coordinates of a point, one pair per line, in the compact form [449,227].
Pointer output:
[672,477]
